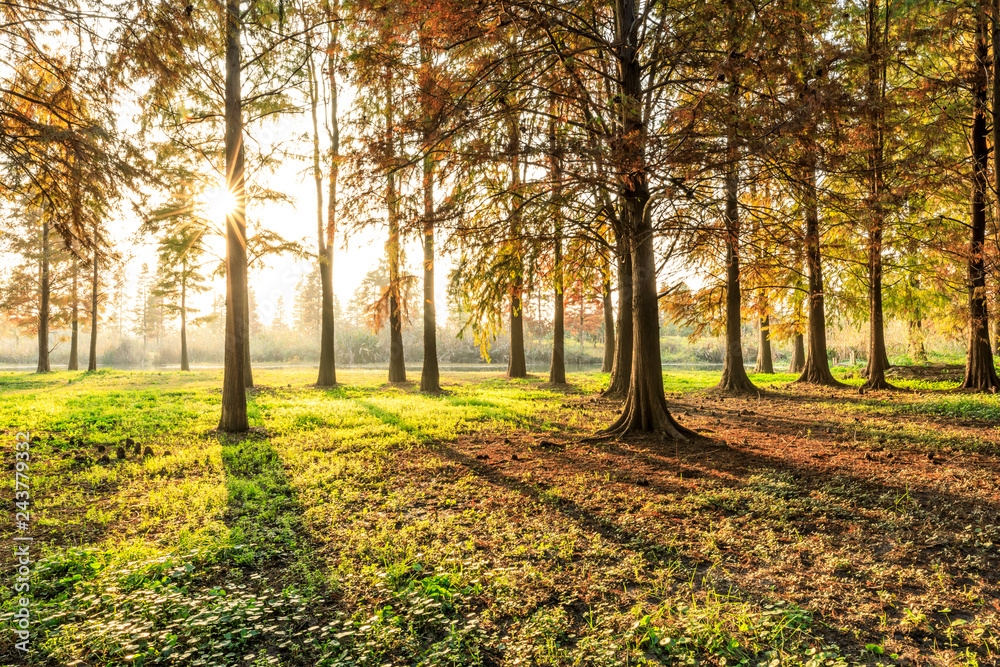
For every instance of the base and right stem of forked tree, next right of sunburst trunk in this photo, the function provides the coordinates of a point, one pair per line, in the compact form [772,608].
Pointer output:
[327,346]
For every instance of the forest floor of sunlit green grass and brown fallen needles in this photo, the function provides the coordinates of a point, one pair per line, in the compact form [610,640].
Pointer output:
[372,525]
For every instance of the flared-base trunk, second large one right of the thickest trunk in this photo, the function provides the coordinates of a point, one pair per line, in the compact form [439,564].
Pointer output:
[817,369]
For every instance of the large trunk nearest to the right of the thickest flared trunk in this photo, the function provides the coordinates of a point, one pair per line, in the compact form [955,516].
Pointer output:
[734,373]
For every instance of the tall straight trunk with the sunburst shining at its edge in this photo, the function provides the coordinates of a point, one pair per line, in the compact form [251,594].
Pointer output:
[234,399]
